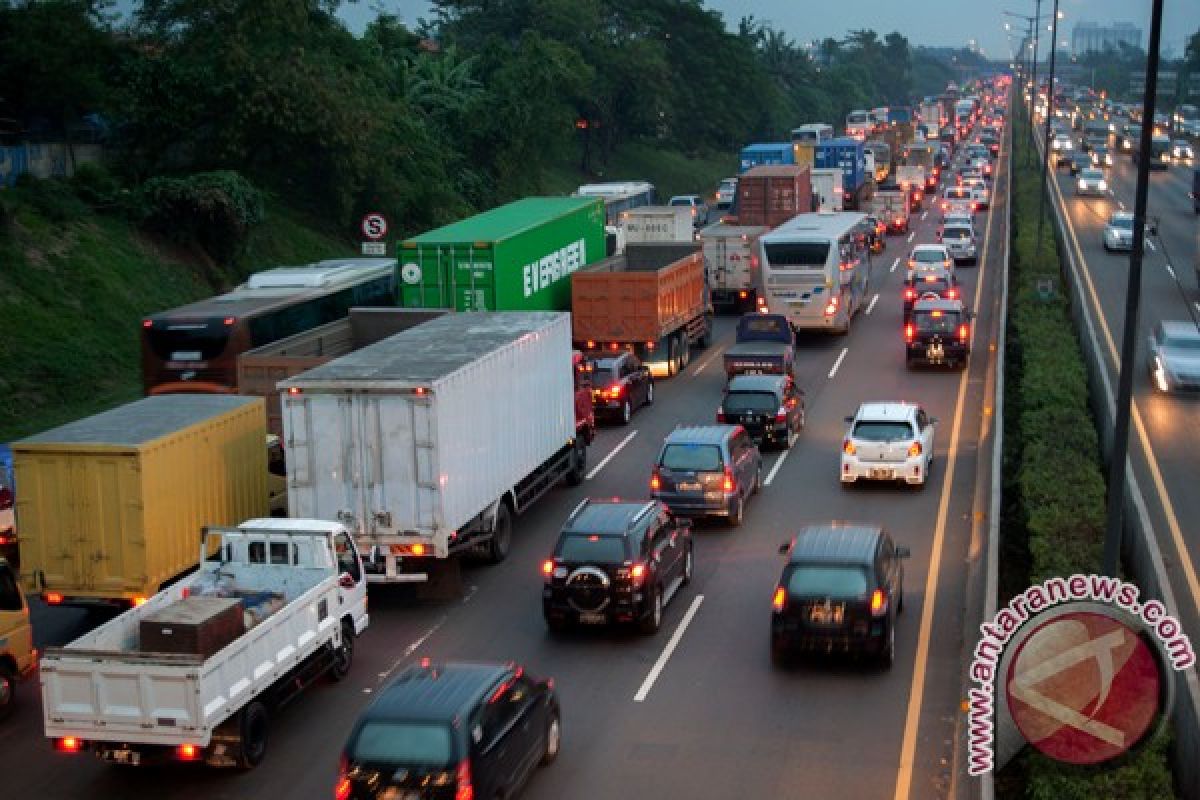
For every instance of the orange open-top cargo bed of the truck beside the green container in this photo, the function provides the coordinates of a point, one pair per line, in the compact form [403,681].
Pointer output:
[614,303]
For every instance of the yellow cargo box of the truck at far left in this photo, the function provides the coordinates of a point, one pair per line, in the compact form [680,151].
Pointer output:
[110,507]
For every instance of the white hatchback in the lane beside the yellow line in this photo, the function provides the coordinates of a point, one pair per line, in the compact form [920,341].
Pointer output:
[889,442]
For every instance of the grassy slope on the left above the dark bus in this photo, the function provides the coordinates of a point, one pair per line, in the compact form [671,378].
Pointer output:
[73,294]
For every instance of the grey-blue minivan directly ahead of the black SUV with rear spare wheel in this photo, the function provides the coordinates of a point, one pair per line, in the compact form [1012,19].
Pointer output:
[707,471]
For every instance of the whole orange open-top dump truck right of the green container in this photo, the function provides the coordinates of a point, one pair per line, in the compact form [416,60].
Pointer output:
[652,300]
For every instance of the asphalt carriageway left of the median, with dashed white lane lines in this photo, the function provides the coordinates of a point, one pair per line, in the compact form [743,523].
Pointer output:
[719,720]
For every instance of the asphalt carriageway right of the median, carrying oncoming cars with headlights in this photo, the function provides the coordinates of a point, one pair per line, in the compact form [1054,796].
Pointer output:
[1166,432]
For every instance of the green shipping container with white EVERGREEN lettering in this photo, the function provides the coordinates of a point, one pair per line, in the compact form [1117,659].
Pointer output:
[518,257]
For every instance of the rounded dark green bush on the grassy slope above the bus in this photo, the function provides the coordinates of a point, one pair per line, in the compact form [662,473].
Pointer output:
[213,210]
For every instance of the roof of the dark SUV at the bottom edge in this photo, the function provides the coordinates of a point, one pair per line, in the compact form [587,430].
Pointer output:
[439,691]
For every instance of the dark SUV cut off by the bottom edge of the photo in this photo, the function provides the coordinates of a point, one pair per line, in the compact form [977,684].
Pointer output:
[447,731]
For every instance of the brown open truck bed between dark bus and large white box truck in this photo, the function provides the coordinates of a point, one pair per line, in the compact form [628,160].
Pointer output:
[262,369]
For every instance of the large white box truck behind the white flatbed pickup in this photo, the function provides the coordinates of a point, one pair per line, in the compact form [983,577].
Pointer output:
[431,442]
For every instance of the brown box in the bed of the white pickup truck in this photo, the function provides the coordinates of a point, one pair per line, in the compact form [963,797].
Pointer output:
[197,625]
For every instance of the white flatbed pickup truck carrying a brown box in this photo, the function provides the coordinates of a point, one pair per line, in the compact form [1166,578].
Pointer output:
[304,592]
